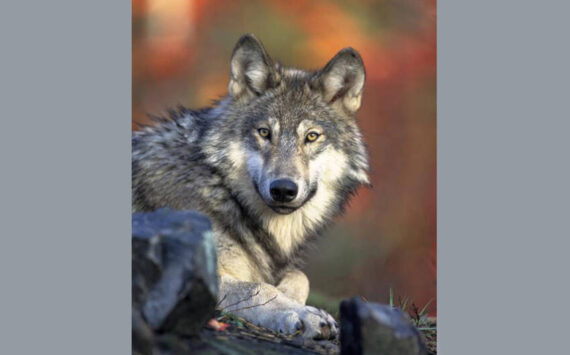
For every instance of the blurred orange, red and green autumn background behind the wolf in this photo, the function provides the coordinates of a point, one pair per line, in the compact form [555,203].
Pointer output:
[387,239]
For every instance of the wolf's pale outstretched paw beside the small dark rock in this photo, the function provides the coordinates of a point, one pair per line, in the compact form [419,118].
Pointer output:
[313,322]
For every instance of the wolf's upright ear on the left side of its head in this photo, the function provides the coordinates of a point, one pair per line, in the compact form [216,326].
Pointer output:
[252,71]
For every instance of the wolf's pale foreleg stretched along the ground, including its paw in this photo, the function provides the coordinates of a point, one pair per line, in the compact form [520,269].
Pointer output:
[266,306]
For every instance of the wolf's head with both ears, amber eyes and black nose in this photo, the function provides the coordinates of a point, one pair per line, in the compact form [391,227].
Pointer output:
[298,140]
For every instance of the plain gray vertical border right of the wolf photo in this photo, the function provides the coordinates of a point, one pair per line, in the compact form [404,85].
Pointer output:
[503,175]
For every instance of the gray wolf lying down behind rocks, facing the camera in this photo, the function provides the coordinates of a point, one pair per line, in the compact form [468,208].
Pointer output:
[271,164]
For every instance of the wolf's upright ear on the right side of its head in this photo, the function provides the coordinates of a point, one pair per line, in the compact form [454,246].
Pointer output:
[341,81]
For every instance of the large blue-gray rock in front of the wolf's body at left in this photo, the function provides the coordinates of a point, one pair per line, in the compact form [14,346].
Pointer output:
[174,272]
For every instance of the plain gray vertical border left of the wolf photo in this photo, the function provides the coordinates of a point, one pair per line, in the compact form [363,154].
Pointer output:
[65,86]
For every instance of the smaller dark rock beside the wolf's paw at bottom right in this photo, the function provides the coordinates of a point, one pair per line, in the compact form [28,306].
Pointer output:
[372,328]
